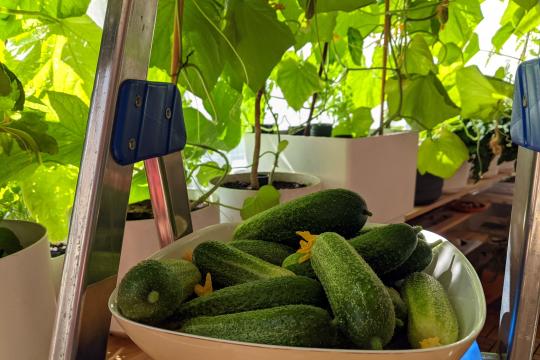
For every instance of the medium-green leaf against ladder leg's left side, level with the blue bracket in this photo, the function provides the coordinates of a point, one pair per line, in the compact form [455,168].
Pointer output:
[70,127]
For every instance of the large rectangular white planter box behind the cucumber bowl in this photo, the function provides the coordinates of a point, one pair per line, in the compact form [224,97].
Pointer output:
[382,169]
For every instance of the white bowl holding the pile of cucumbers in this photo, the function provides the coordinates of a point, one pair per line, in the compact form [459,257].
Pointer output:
[449,266]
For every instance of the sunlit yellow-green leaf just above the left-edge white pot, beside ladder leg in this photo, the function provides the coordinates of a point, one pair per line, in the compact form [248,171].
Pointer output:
[48,195]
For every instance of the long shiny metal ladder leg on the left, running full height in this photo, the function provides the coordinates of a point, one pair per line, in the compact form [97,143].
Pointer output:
[97,223]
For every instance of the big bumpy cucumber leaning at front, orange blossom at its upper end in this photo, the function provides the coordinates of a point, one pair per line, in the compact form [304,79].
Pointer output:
[359,300]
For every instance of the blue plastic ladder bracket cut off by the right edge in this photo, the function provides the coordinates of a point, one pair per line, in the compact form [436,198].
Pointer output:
[525,127]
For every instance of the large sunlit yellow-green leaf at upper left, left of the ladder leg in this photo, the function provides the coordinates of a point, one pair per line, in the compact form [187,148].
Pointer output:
[59,56]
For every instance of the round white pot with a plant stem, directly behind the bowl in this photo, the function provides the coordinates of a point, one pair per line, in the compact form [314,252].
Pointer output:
[235,197]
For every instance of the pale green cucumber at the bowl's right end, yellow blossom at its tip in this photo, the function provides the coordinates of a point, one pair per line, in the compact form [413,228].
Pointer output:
[432,320]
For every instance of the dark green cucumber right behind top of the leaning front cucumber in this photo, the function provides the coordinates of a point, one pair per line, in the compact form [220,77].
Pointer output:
[385,248]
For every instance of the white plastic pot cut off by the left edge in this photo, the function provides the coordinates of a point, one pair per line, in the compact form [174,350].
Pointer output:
[28,299]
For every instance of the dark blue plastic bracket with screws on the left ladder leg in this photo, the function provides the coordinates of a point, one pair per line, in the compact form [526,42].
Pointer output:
[149,121]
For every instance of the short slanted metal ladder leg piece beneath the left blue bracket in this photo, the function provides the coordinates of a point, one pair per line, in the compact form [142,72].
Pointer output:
[168,190]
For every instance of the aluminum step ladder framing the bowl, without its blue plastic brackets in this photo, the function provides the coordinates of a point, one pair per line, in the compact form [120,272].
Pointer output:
[97,224]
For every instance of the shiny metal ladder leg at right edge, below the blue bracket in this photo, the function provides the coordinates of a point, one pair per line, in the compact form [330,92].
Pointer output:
[521,292]
